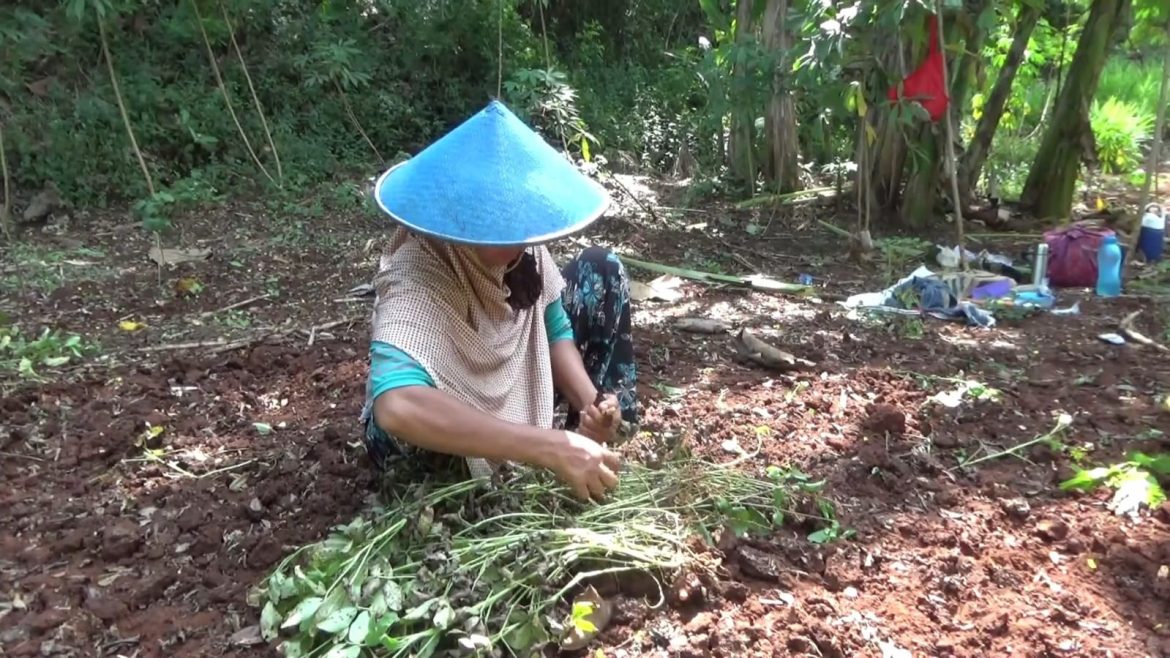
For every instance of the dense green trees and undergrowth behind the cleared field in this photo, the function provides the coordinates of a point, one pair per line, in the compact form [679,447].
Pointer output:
[295,97]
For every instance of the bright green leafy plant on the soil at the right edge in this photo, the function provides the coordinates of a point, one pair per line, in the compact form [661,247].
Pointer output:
[1135,482]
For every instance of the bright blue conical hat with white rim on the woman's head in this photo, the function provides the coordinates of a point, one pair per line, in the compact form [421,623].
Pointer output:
[491,182]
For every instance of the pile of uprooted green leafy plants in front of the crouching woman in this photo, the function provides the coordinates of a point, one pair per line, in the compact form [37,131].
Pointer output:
[491,570]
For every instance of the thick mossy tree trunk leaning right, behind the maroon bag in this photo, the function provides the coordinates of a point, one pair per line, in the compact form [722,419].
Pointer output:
[1052,180]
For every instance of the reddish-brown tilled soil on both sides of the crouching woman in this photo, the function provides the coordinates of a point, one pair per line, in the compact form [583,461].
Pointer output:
[116,542]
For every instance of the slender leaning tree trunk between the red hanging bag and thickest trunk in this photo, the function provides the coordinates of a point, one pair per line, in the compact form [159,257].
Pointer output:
[976,155]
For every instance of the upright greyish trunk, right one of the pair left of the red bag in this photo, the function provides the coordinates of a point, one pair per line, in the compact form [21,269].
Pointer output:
[781,120]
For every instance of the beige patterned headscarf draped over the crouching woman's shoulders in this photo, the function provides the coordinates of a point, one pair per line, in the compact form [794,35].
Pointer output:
[441,305]
